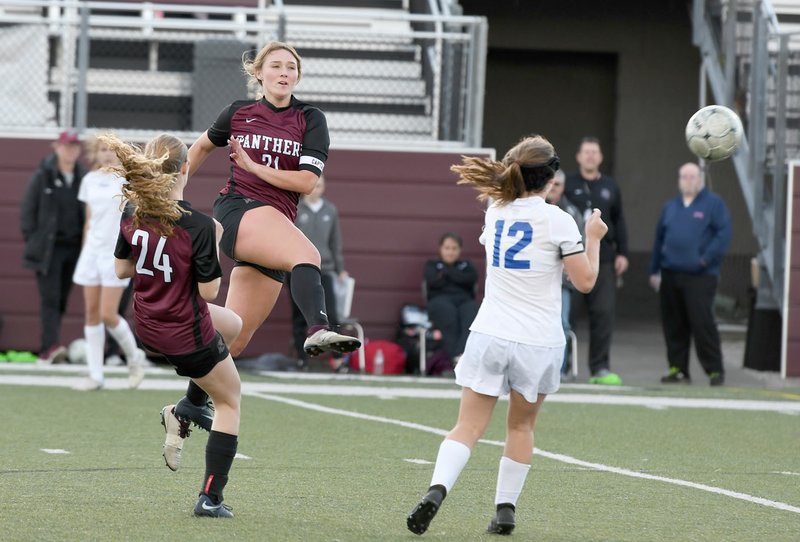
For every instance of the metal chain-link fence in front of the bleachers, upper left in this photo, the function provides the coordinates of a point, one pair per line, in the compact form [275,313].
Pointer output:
[381,75]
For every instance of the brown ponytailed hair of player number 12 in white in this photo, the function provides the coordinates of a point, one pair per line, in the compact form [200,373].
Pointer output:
[504,181]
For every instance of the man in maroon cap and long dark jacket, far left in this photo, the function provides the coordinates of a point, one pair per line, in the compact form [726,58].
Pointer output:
[52,227]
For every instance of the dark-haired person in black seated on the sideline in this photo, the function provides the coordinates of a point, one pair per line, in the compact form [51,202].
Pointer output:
[450,283]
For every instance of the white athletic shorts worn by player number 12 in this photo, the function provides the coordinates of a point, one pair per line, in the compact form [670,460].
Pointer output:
[493,366]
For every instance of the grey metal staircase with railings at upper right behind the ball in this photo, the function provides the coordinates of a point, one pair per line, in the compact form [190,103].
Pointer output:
[752,67]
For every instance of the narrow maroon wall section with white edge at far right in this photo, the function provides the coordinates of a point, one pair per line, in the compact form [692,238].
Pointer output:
[792,312]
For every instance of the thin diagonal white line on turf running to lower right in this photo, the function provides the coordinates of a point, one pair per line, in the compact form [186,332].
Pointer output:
[557,457]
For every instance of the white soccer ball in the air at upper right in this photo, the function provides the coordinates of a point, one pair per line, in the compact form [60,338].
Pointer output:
[714,133]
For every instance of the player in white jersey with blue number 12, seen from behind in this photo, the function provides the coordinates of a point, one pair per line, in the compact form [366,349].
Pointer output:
[516,344]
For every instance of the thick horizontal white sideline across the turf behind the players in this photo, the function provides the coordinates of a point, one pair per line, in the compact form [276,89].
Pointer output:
[384,392]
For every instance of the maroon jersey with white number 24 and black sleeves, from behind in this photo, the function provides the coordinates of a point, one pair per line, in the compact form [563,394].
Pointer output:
[169,314]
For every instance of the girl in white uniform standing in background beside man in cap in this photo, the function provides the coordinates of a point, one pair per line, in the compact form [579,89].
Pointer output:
[101,191]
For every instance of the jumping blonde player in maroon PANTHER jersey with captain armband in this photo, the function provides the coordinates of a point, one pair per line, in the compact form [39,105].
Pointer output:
[278,148]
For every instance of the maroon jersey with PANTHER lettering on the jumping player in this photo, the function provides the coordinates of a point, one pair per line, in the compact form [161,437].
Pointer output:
[290,138]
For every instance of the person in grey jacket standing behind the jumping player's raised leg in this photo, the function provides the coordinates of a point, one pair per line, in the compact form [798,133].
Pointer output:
[318,219]
